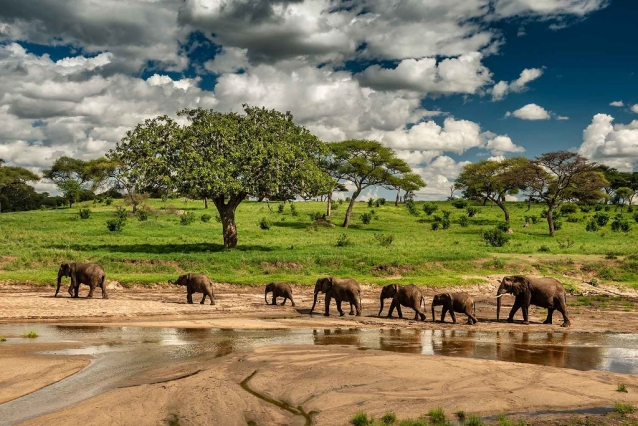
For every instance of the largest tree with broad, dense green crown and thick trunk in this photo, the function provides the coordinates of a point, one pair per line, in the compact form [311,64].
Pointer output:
[226,157]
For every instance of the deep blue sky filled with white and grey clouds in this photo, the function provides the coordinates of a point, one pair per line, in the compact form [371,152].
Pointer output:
[443,82]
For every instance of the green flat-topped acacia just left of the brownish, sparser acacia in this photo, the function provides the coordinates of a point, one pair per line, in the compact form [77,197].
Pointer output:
[492,180]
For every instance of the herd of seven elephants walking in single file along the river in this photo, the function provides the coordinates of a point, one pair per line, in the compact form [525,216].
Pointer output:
[546,293]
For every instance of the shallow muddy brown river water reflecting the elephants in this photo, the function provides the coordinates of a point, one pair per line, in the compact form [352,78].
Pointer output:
[127,356]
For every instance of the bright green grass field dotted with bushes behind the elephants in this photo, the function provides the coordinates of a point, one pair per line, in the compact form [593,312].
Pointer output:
[293,250]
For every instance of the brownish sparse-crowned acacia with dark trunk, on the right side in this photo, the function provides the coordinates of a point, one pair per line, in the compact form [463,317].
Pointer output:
[557,177]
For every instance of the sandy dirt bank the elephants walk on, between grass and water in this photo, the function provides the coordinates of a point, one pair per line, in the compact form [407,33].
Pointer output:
[244,307]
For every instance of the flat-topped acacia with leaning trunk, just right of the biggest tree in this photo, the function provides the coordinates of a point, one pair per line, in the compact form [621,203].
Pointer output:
[365,163]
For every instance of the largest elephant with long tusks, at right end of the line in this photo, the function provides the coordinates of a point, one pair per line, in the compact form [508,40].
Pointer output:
[546,292]
